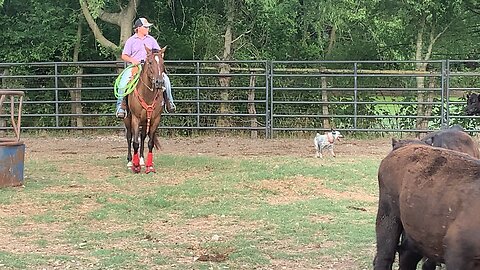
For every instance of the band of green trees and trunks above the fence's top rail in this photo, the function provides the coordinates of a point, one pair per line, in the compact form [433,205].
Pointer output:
[243,29]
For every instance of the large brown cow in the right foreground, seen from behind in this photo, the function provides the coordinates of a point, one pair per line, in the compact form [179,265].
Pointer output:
[432,194]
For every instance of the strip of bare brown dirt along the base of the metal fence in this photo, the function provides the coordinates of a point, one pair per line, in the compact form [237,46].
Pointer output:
[113,146]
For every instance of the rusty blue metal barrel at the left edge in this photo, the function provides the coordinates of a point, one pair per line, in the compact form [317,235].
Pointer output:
[12,160]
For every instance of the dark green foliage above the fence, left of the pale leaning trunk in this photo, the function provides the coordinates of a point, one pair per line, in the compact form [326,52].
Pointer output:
[36,31]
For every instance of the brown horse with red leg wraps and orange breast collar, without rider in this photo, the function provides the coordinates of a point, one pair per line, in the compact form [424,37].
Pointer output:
[145,106]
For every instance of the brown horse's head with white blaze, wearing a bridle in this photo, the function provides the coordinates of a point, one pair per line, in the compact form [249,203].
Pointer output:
[154,67]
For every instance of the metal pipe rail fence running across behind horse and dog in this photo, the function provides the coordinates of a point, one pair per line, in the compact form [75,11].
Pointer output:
[268,97]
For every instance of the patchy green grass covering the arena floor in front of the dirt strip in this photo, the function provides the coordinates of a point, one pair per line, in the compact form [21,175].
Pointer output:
[266,211]
